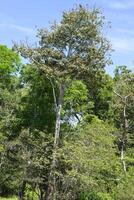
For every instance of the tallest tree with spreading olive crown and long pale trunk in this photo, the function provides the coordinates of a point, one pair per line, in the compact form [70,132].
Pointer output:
[73,49]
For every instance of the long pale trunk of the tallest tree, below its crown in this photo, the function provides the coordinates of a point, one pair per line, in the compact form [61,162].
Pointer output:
[52,187]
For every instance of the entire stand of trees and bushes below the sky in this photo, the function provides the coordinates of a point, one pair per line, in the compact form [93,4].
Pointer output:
[66,125]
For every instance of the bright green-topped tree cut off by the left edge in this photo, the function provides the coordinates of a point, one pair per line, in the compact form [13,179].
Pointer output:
[9,65]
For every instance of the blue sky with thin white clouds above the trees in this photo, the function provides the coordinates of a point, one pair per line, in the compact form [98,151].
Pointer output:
[19,19]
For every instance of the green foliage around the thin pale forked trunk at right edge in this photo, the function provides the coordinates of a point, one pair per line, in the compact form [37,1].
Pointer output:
[124,86]
